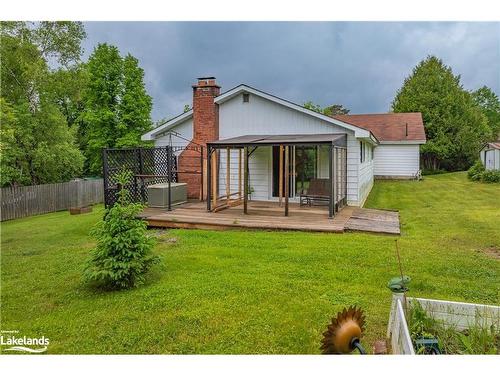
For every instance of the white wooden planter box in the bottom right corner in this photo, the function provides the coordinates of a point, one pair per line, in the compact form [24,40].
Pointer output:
[456,314]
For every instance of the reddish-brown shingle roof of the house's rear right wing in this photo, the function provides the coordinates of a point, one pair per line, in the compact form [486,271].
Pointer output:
[389,126]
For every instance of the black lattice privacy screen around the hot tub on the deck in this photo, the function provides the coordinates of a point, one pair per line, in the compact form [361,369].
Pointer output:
[147,166]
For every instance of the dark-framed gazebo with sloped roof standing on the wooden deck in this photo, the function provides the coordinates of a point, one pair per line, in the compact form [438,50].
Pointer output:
[305,169]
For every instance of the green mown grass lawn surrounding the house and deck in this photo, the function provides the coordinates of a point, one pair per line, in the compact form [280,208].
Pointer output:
[252,292]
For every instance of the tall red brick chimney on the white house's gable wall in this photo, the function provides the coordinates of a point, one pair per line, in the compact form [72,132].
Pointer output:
[205,129]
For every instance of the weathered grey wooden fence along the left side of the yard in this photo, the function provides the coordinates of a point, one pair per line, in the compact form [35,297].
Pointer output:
[18,202]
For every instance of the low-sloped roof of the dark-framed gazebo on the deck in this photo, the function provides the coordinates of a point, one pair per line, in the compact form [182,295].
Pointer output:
[339,140]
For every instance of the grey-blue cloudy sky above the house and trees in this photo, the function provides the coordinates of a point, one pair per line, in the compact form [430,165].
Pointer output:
[357,64]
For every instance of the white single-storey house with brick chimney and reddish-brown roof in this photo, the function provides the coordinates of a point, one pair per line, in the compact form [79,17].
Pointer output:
[366,146]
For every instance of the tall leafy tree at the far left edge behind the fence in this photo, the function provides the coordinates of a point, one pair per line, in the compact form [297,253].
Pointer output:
[37,145]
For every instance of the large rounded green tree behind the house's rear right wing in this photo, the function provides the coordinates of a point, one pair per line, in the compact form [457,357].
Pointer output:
[455,126]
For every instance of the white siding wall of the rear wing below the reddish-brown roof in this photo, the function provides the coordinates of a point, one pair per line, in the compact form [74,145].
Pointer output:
[397,160]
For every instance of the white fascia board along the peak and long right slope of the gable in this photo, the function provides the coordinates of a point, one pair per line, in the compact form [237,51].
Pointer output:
[358,132]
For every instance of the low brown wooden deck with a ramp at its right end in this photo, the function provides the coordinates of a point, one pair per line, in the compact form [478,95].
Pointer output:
[269,216]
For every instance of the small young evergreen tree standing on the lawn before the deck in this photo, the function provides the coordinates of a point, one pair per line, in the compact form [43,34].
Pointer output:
[123,254]
